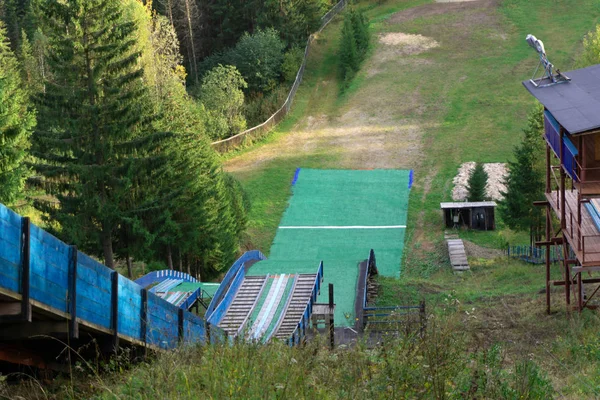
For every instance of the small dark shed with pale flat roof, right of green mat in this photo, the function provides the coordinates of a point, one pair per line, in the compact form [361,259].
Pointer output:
[474,215]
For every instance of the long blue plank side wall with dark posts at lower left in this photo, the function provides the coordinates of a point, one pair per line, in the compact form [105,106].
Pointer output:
[41,271]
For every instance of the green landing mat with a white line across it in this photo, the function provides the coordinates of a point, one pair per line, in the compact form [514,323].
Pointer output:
[337,216]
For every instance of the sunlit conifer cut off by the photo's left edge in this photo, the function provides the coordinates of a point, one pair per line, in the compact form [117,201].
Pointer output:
[17,120]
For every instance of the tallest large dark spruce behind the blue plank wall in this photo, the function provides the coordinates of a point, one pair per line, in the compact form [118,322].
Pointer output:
[96,143]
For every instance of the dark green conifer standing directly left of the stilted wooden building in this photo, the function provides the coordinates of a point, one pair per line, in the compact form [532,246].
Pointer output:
[525,181]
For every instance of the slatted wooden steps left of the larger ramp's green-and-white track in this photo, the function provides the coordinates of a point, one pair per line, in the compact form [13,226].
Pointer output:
[243,303]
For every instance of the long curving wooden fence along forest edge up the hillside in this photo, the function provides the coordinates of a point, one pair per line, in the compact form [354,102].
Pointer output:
[232,142]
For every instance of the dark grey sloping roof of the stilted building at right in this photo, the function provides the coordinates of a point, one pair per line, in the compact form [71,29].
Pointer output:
[574,104]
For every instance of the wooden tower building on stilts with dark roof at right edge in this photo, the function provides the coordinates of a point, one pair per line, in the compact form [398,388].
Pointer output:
[572,134]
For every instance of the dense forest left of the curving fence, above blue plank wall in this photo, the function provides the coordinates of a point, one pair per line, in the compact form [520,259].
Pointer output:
[108,108]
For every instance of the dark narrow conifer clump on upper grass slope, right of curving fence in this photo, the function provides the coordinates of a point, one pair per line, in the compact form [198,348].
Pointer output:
[353,45]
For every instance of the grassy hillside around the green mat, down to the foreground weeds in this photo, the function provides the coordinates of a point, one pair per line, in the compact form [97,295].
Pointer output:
[441,86]
